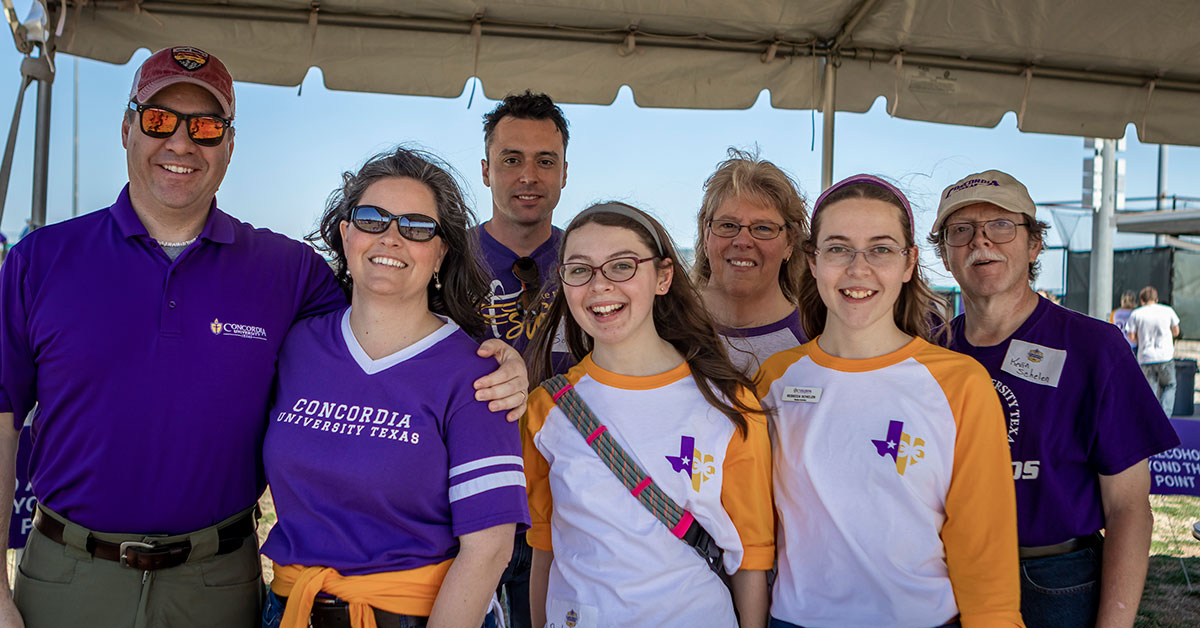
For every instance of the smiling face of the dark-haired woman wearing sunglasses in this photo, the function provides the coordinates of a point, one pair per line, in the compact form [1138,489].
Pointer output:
[387,266]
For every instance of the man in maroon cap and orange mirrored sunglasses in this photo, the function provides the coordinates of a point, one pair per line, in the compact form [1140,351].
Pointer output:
[147,337]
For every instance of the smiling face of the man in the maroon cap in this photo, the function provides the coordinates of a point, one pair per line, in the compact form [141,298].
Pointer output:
[175,177]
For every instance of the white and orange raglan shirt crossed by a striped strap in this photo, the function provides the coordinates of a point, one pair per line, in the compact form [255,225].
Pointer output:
[615,564]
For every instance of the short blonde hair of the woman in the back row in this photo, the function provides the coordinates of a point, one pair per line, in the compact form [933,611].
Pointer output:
[746,176]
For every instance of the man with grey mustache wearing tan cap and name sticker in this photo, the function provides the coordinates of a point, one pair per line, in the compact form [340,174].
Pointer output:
[1078,432]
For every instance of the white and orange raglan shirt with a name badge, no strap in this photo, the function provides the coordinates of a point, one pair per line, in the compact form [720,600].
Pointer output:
[893,488]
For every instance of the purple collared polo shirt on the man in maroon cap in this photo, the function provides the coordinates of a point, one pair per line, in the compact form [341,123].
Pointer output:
[152,378]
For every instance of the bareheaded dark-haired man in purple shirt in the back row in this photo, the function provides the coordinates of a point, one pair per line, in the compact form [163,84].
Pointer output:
[525,142]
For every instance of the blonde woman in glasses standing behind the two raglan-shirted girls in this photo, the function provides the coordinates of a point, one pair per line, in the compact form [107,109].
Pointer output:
[751,222]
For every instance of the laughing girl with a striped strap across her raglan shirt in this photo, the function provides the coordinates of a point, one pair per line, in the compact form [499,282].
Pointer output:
[656,375]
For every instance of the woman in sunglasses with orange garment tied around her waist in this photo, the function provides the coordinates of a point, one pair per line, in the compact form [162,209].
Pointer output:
[398,494]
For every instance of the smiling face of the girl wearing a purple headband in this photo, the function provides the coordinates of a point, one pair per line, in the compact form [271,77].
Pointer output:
[861,298]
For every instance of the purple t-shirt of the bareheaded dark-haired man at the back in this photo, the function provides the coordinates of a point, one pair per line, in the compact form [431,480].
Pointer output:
[501,310]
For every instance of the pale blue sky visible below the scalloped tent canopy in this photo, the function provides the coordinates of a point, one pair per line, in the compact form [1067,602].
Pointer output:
[293,143]
